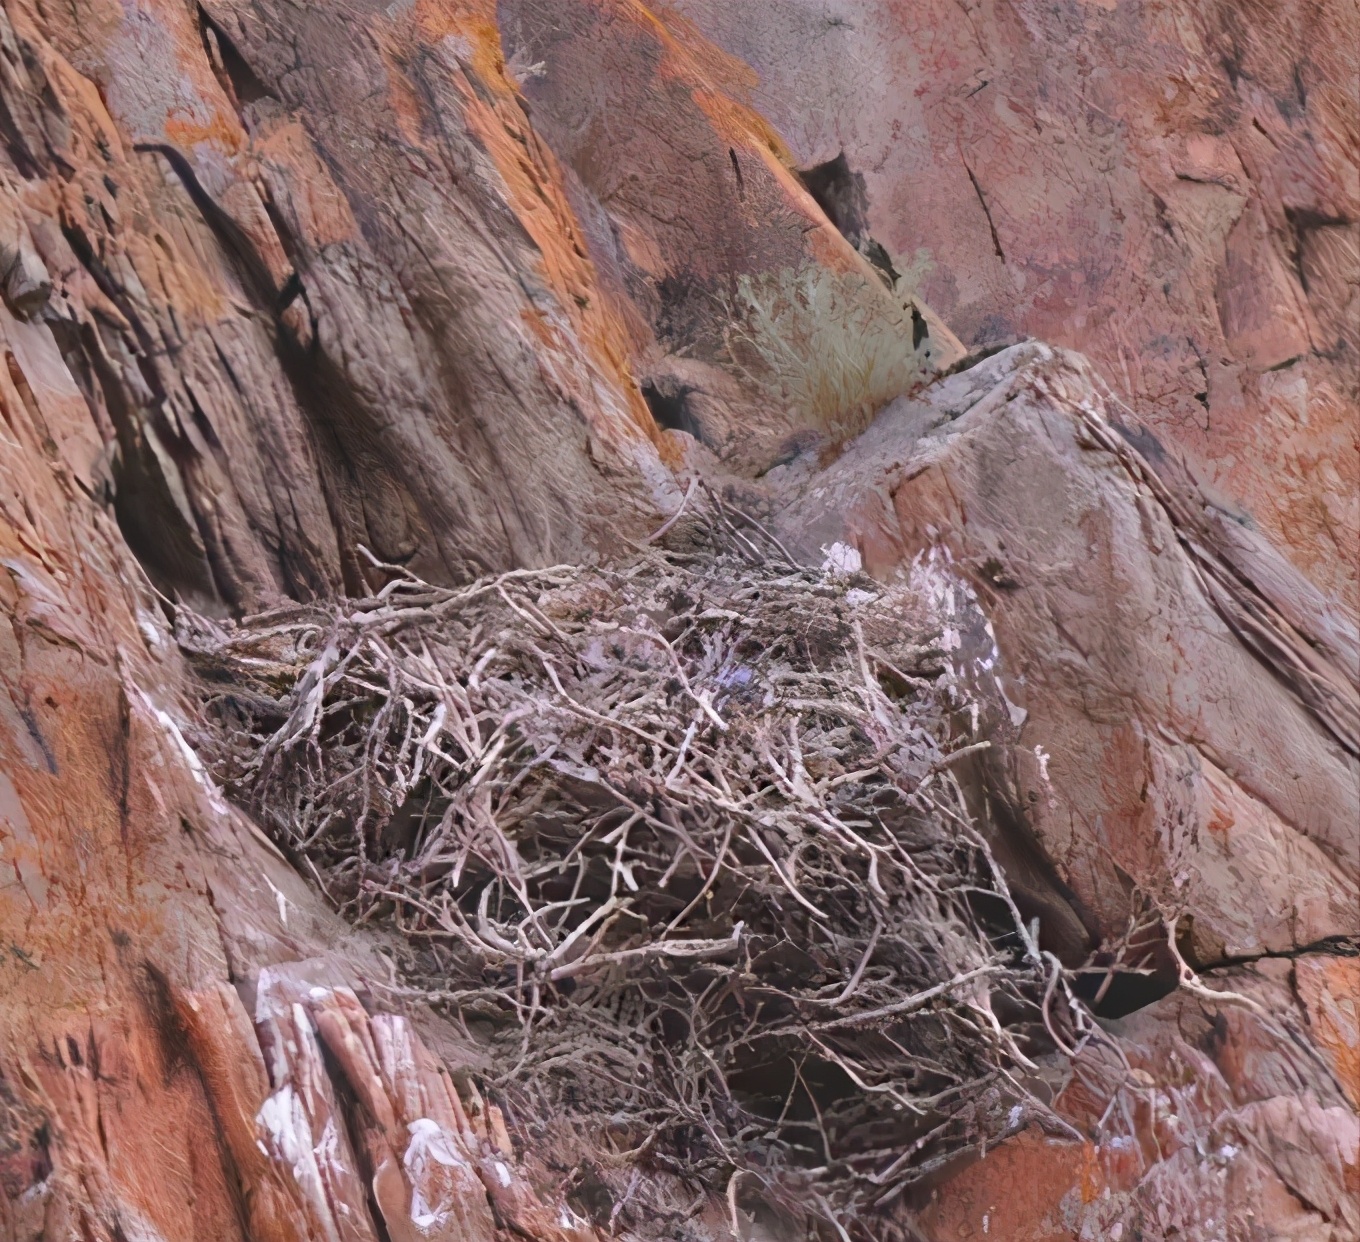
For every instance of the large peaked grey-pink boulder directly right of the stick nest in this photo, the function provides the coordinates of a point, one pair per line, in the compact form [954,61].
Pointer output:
[1158,749]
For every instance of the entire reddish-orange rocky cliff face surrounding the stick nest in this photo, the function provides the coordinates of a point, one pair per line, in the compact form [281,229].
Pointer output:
[475,286]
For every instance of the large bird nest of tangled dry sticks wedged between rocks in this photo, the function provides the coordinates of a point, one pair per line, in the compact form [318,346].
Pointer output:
[682,839]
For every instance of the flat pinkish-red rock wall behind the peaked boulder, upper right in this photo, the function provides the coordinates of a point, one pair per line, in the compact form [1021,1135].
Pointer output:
[1173,190]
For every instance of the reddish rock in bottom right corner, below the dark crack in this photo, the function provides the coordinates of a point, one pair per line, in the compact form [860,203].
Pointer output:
[1233,1134]
